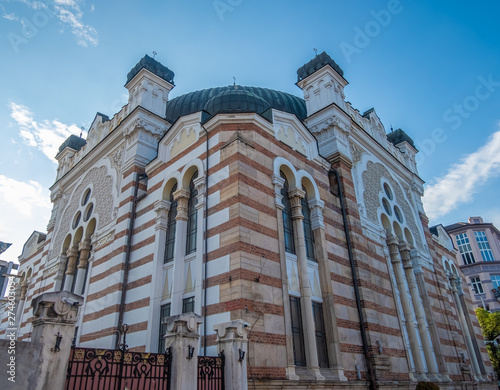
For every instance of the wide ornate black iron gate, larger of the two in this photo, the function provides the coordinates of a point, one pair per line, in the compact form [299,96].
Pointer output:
[109,369]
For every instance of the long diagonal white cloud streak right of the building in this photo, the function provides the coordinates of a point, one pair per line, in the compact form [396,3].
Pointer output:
[463,179]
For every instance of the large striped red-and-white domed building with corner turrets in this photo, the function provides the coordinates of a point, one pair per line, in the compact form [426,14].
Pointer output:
[301,217]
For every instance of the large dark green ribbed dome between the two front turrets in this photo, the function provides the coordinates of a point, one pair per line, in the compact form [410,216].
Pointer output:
[234,99]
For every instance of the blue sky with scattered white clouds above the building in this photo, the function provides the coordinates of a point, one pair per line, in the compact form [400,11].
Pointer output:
[430,68]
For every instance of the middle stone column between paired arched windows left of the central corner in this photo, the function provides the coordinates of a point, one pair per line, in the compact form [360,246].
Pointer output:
[182,197]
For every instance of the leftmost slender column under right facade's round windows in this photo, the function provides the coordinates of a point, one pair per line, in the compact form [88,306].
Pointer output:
[392,244]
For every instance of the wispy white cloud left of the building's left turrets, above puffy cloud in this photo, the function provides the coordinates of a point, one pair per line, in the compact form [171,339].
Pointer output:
[46,136]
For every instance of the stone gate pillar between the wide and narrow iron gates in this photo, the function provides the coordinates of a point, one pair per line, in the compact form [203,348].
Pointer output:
[183,337]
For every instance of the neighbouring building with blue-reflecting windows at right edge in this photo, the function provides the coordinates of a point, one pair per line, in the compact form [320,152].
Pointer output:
[478,256]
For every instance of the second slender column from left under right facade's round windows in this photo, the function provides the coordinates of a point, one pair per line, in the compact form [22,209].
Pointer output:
[418,306]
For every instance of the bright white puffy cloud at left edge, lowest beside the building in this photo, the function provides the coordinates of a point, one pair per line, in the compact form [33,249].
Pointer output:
[25,207]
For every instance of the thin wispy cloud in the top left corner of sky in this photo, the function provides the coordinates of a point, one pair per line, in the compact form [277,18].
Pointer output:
[68,12]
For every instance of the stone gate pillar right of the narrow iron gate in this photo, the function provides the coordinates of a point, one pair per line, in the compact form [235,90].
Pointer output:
[232,339]
